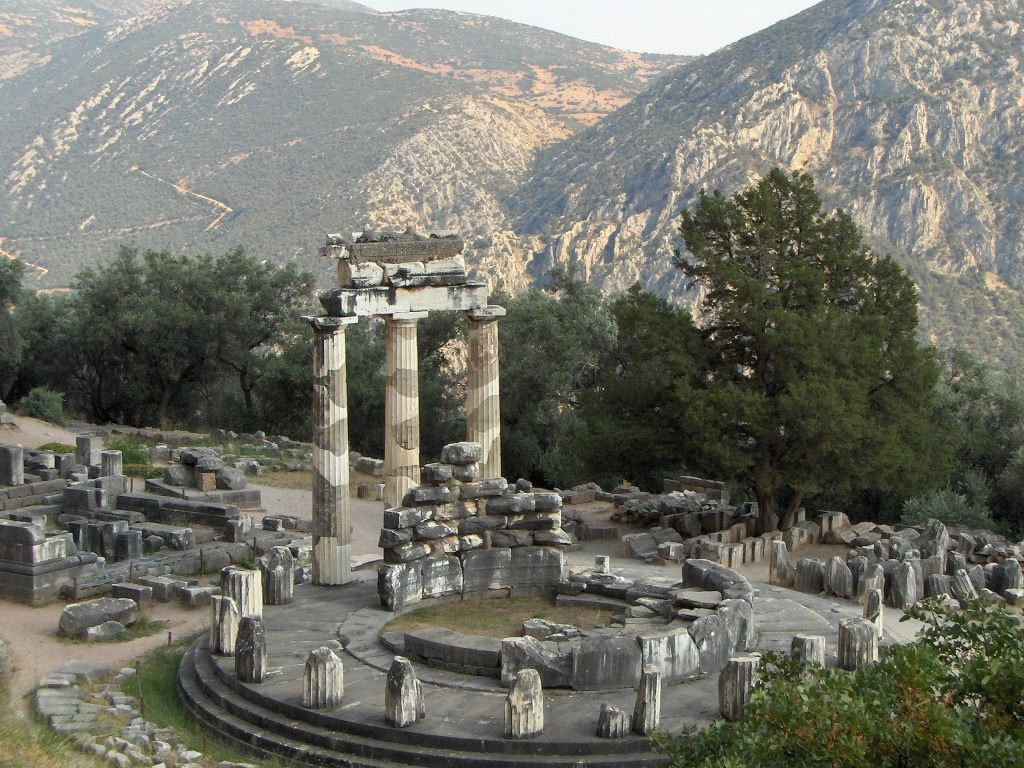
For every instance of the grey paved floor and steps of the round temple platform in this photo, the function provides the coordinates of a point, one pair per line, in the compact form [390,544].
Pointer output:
[464,728]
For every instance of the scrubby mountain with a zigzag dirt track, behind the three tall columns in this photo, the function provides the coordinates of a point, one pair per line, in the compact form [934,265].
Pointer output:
[206,124]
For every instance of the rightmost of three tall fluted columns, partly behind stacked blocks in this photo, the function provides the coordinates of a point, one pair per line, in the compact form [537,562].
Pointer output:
[484,421]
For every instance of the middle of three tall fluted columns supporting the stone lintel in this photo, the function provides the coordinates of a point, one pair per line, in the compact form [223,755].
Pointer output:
[402,408]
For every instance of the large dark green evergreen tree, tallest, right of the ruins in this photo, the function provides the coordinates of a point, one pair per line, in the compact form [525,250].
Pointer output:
[816,378]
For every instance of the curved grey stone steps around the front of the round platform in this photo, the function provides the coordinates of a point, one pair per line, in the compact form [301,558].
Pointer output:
[269,726]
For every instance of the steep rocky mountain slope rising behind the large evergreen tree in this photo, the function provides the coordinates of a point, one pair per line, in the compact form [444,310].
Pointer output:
[909,113]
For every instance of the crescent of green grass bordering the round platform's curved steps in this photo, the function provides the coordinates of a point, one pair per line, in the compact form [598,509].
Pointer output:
[158,681]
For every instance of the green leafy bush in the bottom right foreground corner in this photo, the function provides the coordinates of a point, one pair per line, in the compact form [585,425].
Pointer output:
[952,699]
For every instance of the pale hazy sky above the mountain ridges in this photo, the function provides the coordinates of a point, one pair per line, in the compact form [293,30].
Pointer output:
[649,26]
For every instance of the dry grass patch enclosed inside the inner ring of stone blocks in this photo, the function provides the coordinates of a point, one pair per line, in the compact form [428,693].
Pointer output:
[502,617]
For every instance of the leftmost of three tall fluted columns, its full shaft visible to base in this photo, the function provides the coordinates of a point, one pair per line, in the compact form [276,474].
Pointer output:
[332,537]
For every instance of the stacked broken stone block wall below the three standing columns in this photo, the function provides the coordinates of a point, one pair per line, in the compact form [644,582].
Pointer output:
[458,535]
